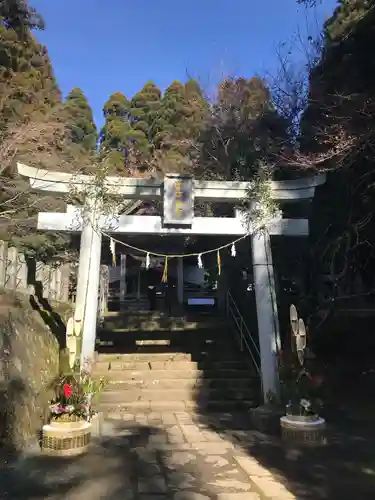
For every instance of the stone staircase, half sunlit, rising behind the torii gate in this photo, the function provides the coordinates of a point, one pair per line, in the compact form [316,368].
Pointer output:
[154,363]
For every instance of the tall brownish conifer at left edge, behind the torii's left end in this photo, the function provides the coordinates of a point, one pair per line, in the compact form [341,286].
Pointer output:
[32,128]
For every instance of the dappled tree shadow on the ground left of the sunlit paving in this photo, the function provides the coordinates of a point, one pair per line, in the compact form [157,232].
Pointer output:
[123,466]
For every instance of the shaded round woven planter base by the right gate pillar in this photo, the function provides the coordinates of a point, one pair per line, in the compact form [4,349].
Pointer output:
[303,430]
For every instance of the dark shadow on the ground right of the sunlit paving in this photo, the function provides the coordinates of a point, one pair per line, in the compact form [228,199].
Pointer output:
[343,470]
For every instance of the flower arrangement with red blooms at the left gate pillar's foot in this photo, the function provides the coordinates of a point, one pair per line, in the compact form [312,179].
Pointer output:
[74,394]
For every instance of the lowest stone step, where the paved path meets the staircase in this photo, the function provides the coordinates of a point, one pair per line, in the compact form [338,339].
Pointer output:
[114,410]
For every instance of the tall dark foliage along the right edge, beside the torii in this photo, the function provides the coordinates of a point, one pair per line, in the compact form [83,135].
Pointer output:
[338,128]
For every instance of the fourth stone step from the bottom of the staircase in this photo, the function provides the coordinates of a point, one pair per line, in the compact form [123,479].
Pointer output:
[180,375]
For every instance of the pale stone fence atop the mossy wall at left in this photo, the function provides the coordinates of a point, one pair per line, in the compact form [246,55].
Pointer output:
[21,274]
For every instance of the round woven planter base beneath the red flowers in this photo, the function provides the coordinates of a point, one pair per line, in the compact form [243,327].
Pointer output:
[66,439]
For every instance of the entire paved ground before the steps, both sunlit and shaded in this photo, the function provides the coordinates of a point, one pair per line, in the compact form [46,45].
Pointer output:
[187,456]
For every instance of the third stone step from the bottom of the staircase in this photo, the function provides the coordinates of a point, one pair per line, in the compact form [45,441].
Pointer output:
[163,384]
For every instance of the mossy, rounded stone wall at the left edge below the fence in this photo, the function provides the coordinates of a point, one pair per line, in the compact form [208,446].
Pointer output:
[30,339]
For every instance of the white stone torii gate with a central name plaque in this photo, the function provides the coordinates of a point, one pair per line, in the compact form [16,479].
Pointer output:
[90,222]
